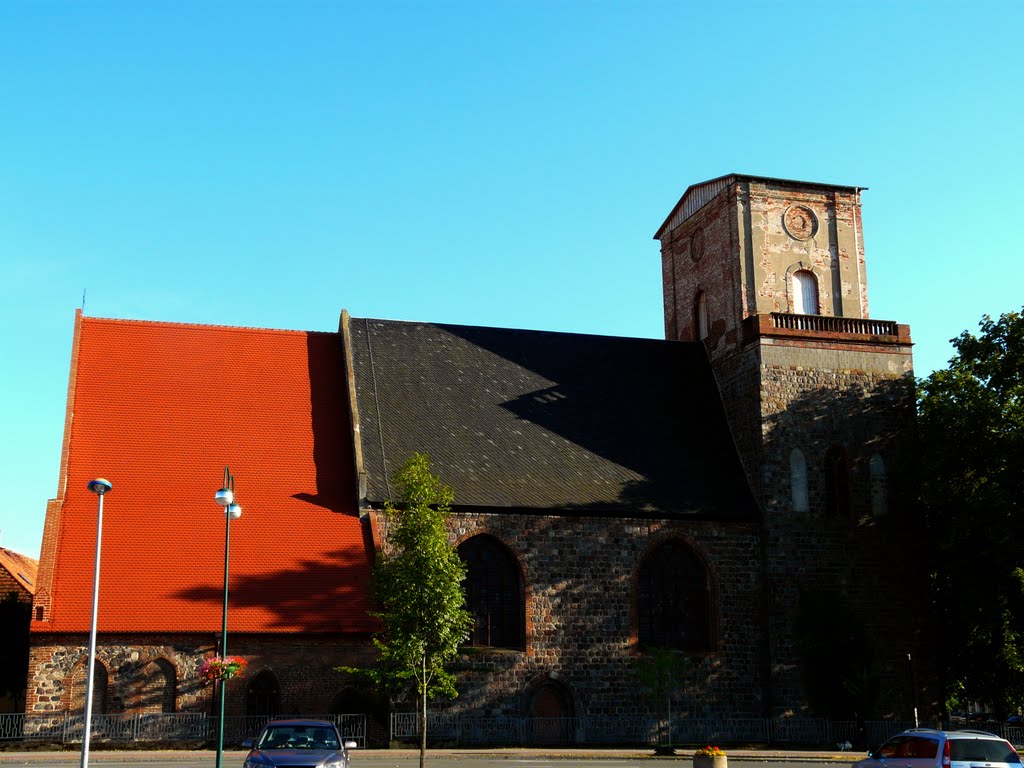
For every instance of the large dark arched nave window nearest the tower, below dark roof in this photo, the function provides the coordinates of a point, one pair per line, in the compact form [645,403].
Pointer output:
[674,600]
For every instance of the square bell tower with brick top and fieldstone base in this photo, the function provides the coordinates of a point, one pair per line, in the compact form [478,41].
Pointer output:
[771,276]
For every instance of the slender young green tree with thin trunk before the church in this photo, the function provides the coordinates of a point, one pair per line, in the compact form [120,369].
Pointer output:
[417,583]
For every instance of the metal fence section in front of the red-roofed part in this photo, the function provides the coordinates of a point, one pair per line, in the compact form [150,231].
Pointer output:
[66,728]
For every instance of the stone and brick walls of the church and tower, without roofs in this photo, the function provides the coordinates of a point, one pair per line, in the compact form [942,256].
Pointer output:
[731,251]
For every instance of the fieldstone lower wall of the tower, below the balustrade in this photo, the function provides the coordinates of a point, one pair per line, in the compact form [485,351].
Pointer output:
[809,404]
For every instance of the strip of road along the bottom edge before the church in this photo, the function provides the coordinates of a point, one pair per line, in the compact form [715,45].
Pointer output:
[442,759]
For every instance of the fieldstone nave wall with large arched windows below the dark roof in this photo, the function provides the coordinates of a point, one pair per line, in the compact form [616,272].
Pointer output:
[581,622]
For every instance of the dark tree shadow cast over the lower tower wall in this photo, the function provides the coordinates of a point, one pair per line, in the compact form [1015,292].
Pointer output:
[836,514]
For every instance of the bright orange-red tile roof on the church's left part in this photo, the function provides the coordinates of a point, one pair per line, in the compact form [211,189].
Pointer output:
[159,410]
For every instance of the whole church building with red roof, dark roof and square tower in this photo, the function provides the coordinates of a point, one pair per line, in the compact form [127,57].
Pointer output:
[613,495]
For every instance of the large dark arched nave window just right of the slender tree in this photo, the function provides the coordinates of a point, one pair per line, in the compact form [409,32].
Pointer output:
[494,593]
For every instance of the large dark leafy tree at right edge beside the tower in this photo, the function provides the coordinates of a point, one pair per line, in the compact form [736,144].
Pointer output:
[968,452]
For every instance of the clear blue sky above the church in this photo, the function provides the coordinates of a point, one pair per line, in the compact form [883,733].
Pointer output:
[490,163]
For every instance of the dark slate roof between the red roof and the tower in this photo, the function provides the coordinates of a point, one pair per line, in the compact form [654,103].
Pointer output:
[532,420]
